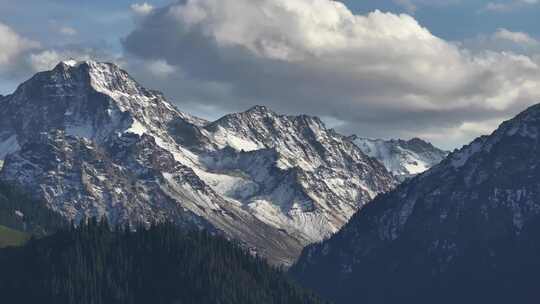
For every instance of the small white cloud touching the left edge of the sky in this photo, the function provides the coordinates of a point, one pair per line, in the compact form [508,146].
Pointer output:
[12,45]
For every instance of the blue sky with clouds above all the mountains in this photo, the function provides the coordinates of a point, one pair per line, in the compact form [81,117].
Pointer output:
[443,70]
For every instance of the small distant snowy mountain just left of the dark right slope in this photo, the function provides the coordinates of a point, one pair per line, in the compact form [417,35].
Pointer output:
[404,158]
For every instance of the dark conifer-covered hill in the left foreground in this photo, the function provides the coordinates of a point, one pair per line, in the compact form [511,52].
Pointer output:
[92,264]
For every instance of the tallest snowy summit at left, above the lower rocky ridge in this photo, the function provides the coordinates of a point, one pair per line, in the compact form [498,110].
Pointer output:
[87,99]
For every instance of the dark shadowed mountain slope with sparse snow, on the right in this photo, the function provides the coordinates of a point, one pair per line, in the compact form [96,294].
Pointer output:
[465,231]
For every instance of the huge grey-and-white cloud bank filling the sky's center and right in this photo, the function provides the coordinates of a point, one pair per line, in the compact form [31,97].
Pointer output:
[379,74]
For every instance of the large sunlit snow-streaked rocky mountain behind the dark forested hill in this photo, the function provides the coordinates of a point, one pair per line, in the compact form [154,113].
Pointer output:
[90,141]
